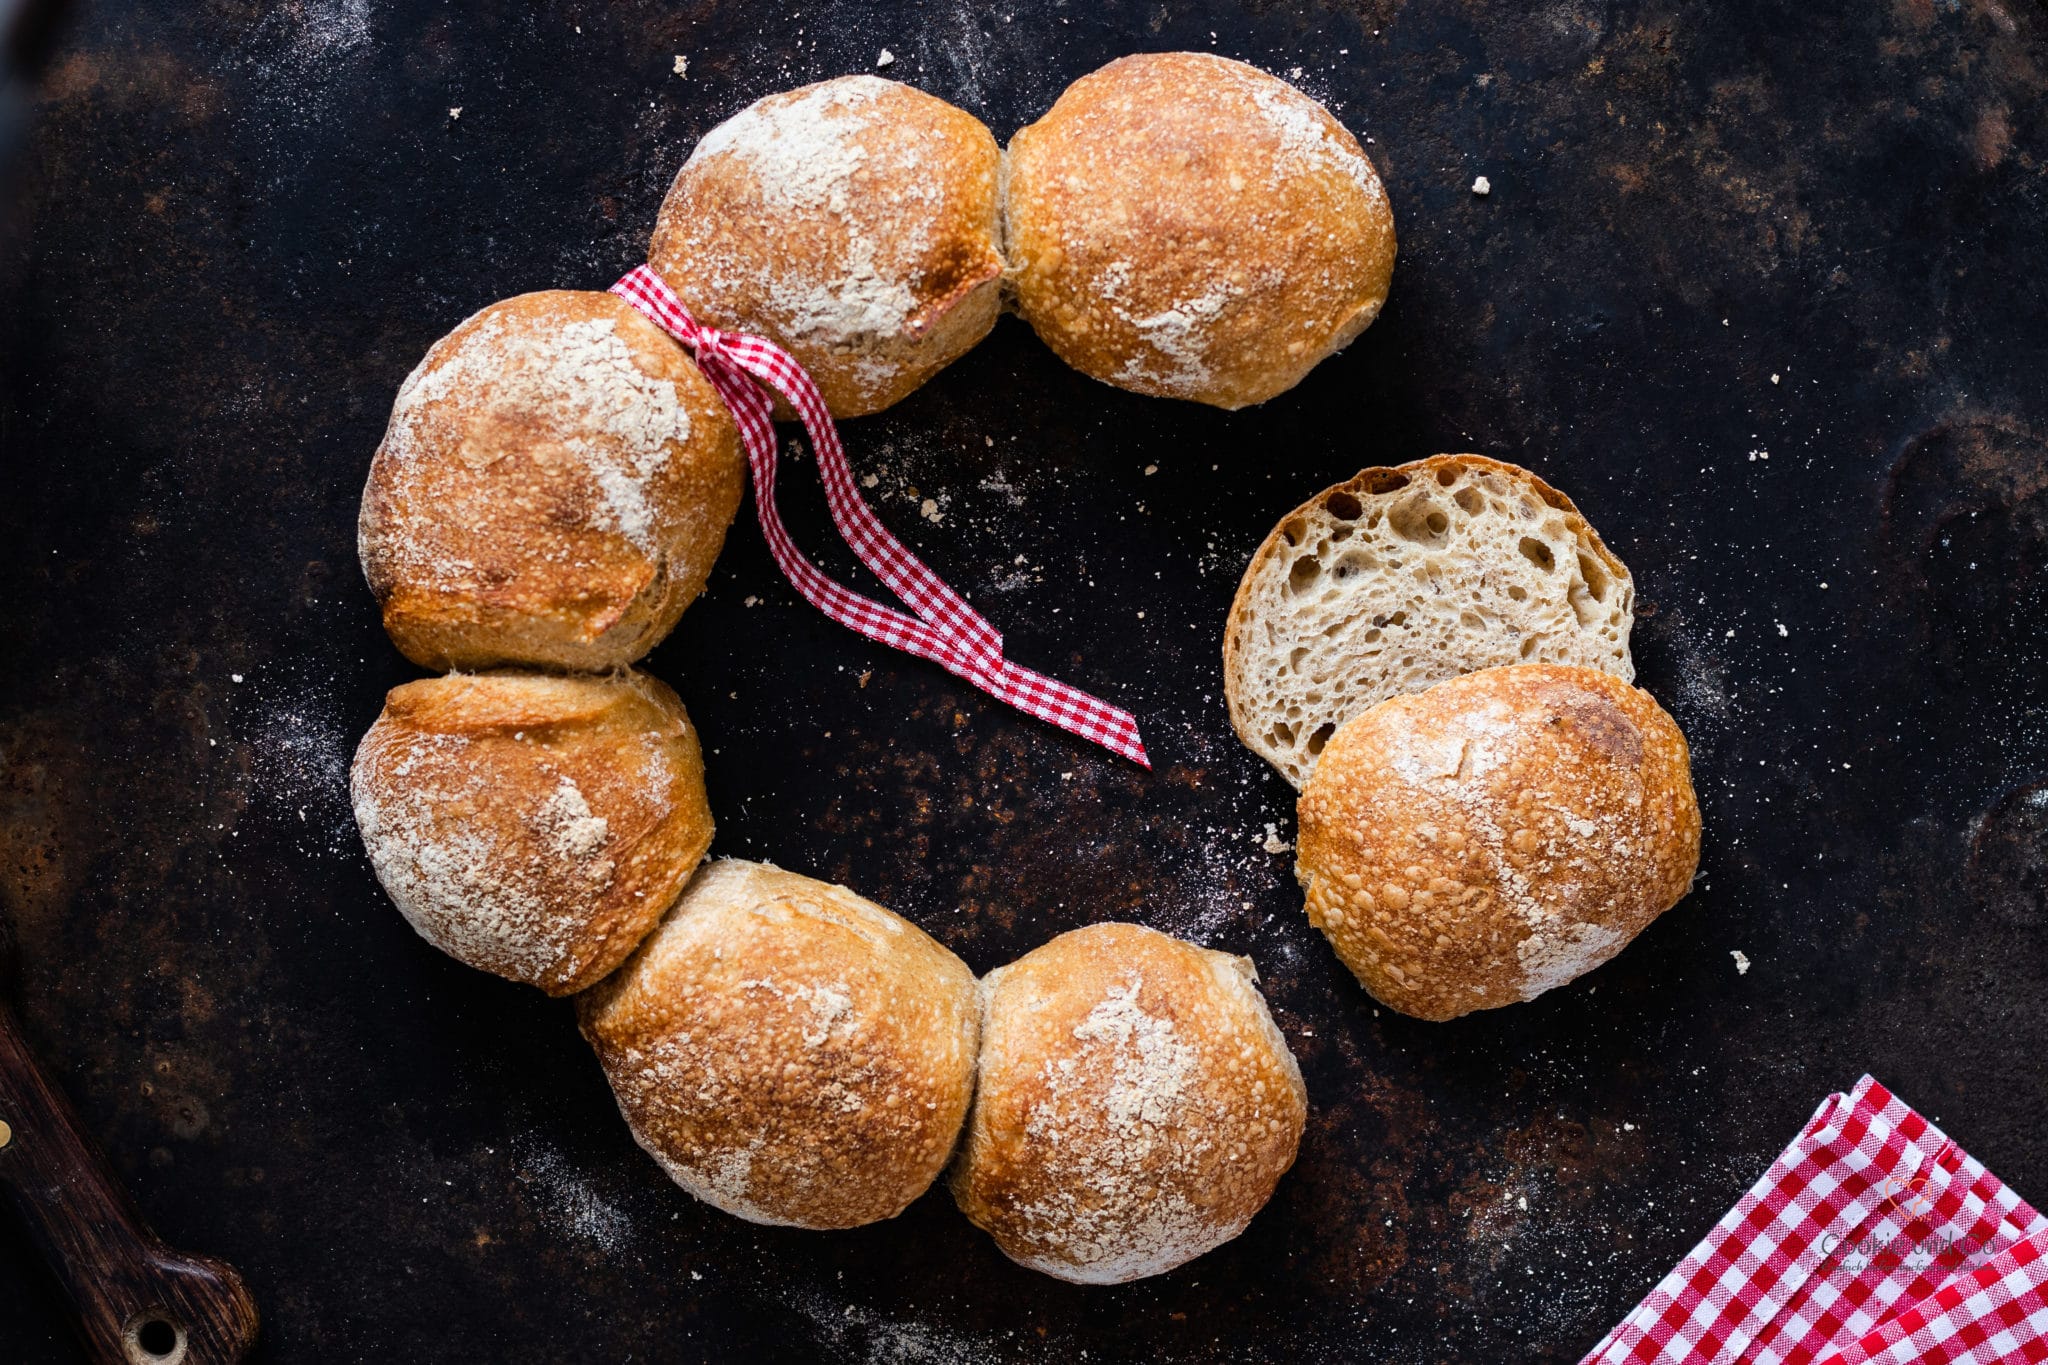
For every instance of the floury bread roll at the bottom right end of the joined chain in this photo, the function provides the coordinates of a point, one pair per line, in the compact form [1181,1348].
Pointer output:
[1136,1106]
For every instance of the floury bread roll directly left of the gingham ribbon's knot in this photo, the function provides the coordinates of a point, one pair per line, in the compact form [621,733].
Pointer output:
[552,490]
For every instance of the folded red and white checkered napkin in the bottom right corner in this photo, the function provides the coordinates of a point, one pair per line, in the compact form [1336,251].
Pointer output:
[1873,1239]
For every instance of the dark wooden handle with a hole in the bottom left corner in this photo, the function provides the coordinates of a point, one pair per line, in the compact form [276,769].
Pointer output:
[138,1301]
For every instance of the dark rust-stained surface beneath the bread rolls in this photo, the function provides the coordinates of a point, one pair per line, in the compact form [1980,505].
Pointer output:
[1758,285]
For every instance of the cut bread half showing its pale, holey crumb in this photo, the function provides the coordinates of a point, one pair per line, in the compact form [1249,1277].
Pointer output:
[1402,578]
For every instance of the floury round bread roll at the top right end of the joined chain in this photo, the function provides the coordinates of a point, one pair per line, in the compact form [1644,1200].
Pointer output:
[1195,228]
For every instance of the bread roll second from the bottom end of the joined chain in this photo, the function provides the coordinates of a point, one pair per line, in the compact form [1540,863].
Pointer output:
[790,1053]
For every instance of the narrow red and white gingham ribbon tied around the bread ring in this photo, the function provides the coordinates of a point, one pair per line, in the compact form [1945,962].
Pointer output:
[945,629]
